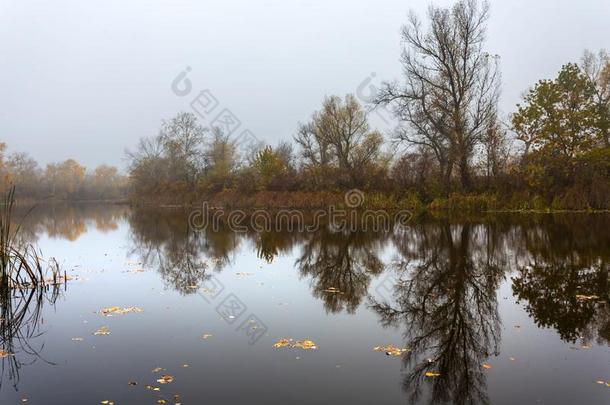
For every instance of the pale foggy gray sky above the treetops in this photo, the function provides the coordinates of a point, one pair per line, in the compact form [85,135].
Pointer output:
[87,78]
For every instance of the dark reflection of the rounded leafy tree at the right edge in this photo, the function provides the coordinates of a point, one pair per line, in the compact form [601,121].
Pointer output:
[567,260]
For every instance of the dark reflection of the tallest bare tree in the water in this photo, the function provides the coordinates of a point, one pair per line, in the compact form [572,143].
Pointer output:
[446,301]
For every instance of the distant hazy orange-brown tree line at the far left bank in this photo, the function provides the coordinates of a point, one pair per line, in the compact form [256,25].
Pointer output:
[64,181]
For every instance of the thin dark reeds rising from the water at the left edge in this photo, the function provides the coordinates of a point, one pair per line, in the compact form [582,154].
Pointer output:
[21,265]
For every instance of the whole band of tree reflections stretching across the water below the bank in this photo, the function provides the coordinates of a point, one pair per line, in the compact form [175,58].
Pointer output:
[448,274]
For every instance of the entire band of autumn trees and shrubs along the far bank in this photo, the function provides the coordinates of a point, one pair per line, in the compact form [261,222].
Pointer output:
[452,150]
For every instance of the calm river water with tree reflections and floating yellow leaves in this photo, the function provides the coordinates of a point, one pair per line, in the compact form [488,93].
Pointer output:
[502,310]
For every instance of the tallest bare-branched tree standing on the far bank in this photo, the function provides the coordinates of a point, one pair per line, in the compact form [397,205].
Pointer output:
[449,98]
